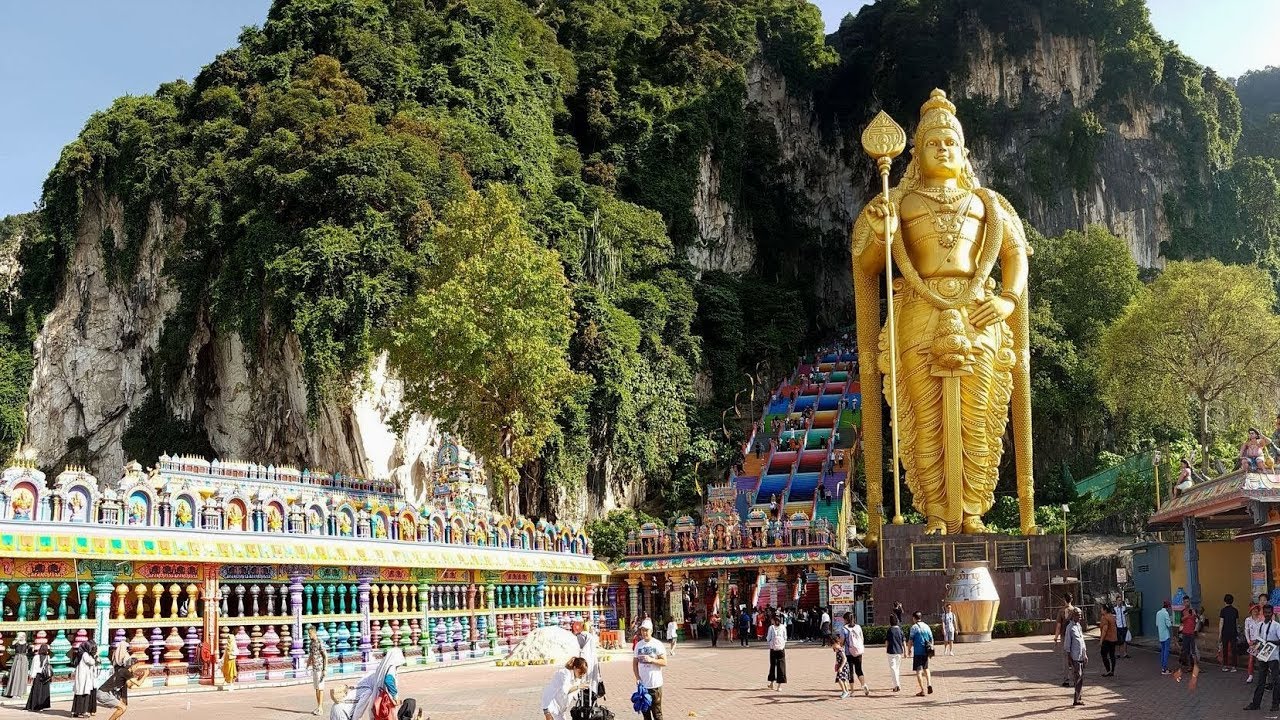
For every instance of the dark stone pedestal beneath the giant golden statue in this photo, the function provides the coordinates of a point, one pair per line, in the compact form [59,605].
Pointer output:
[918,571]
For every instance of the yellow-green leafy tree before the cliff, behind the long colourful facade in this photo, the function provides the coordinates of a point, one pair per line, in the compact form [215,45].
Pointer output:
[483,344]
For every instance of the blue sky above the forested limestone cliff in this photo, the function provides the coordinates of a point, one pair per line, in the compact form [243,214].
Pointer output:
[63,60]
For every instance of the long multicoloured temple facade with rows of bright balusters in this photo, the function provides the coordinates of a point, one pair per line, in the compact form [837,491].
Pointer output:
[193,554]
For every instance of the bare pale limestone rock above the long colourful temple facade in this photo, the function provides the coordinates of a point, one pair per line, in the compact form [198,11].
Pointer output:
[97,345]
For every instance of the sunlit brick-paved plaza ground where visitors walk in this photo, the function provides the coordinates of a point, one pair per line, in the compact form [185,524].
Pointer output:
[1003,680]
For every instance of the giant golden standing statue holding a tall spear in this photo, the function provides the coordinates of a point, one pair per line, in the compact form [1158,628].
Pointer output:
[959,344]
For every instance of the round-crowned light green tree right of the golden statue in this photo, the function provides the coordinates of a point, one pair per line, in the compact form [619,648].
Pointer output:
[1199,349]
